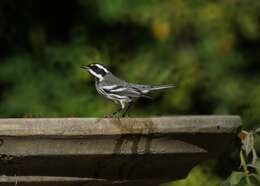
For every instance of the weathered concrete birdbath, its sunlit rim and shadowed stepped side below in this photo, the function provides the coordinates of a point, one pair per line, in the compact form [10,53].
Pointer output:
[160,148]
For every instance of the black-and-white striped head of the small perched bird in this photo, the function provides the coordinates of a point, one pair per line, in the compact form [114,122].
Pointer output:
[97,70]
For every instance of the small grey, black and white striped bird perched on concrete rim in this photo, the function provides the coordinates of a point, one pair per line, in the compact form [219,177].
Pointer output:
[119,91]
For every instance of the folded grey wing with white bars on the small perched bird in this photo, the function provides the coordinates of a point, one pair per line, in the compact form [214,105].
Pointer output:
[124,91]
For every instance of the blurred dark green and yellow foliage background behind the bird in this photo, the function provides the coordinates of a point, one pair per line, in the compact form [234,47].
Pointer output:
[209,49]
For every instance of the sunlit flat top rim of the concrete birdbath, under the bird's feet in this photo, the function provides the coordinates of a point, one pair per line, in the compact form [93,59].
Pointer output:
[81,127]
